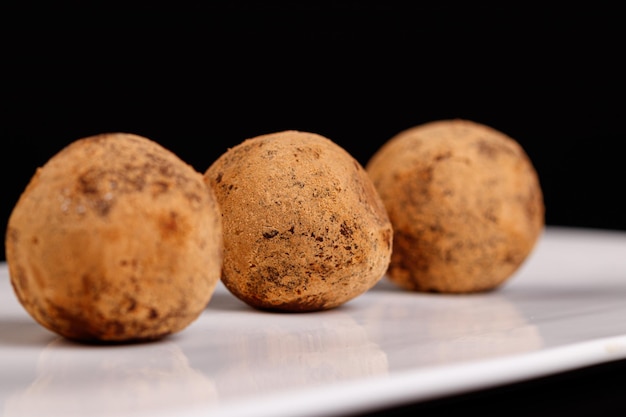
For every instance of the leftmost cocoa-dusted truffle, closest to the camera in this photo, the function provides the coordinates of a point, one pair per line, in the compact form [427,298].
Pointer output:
[115,239]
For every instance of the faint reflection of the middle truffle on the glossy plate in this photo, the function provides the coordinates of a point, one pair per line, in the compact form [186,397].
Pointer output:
[330,348]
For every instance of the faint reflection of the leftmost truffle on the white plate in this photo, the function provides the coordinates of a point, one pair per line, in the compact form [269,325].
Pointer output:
[111,381]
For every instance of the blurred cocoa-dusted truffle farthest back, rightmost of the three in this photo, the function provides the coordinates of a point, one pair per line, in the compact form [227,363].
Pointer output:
[465,203]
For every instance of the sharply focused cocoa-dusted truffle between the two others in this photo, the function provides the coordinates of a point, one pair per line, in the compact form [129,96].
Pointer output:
[304,228]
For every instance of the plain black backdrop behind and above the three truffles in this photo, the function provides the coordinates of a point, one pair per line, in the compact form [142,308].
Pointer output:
[200,80]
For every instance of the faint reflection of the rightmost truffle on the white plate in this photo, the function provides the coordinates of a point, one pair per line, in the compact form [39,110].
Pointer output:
[451,329]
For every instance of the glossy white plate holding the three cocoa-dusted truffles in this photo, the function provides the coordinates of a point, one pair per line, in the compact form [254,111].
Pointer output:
[565,308]
